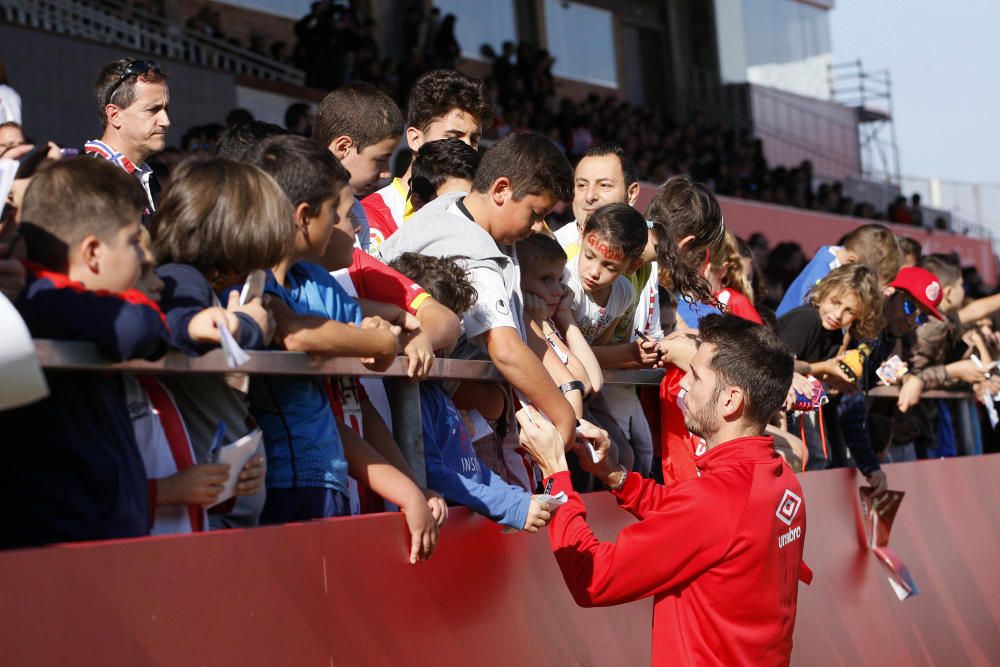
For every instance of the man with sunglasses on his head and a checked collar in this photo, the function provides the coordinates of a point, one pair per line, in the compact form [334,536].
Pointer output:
[132,102]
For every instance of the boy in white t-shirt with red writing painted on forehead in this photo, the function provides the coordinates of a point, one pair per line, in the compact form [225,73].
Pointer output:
[611,244]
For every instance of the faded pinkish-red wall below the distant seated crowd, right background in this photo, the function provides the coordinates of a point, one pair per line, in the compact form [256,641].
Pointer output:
[812,230]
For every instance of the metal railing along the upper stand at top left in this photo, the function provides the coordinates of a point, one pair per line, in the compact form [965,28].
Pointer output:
[114,23]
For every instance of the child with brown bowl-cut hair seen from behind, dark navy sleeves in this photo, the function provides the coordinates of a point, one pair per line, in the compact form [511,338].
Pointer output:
[218,221]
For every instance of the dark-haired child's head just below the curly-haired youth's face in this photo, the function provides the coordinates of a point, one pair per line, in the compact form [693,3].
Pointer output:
[441,166]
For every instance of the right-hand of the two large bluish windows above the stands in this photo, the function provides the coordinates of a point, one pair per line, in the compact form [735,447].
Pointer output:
[582,40]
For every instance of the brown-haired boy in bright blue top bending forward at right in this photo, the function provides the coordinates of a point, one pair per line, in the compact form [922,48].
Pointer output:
[872,245]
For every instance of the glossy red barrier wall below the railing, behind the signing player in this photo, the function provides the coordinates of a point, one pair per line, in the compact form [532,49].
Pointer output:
[340,593]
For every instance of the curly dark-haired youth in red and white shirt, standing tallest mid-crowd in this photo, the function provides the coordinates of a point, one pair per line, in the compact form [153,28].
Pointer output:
[442,104]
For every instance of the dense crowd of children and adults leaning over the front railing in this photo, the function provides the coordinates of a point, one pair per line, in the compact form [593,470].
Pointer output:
[260,237]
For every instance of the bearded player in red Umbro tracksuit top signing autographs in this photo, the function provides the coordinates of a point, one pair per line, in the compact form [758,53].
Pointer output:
[720,553]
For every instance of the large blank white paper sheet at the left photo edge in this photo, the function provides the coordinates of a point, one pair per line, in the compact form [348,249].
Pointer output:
[21,378]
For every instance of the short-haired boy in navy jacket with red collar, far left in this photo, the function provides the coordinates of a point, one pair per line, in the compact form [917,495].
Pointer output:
[74,472]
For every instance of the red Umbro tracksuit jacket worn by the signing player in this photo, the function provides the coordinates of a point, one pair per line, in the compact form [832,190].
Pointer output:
[721,553]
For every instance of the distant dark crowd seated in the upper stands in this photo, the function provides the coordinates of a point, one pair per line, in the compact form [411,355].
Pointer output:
[337,46]
